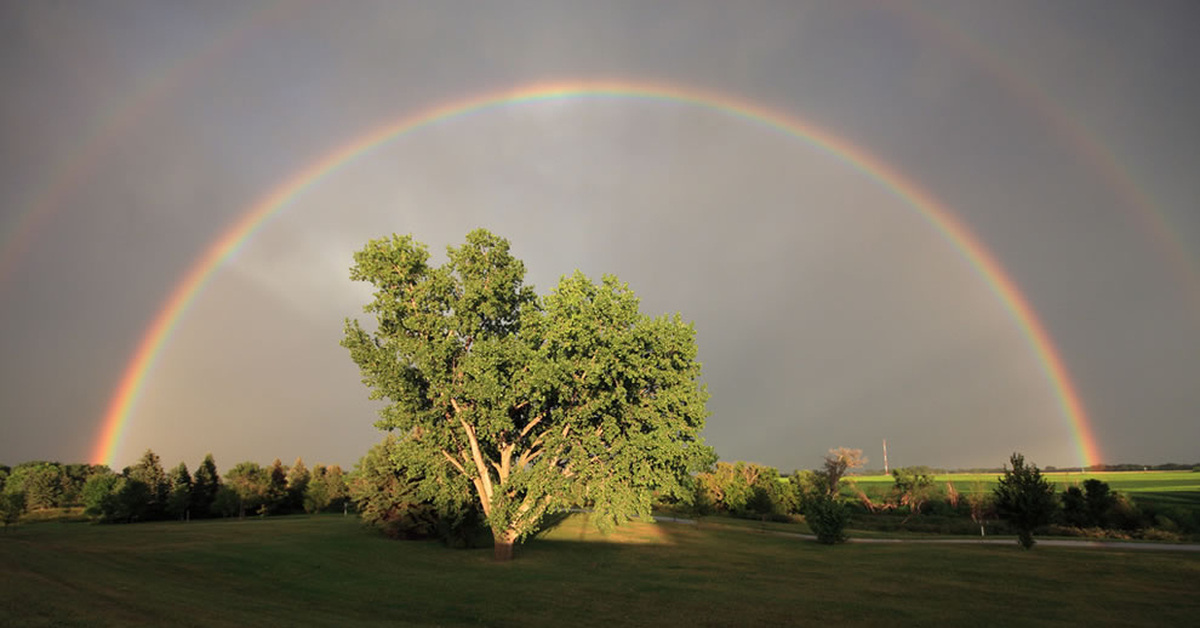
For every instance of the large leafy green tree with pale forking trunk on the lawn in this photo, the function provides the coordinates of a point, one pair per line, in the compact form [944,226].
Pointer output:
[531,405]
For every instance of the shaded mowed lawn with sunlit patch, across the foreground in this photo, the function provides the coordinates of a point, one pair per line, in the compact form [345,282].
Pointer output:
[329,571]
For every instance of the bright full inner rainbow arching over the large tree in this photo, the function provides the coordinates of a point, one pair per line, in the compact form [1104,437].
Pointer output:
[938,216]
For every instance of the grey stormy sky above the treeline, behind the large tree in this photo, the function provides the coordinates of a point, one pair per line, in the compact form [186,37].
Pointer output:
[830,310]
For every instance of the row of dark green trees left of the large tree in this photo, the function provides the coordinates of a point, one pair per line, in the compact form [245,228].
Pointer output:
[148,493]
